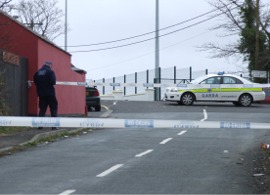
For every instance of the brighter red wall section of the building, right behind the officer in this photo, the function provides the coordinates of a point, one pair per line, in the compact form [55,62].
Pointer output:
[71,99]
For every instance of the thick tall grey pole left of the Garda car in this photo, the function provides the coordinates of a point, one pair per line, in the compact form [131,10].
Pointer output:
[157,79]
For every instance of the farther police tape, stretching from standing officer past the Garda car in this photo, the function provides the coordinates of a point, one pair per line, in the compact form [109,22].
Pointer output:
[180,85]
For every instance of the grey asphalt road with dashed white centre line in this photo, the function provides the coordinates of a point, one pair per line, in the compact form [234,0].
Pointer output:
[145,161]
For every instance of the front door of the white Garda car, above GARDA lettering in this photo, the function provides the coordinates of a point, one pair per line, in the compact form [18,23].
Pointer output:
[210,89]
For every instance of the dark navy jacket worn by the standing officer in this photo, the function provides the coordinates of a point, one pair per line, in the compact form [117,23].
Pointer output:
[45,80]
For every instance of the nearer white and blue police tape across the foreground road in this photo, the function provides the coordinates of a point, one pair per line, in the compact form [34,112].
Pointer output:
[125,123]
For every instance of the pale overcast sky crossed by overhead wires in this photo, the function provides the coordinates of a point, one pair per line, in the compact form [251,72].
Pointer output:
[98,21]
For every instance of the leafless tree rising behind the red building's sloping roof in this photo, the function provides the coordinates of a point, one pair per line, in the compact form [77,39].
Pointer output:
[42,16]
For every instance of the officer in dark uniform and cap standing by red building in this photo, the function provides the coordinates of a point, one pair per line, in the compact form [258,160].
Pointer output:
[45,80]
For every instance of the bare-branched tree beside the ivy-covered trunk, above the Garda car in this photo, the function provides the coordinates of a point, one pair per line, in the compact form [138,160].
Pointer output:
[234,23]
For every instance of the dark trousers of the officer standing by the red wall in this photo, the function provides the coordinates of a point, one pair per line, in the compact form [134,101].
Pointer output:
[46,101]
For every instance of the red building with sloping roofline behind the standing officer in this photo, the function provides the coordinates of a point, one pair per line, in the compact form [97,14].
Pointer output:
[20,40]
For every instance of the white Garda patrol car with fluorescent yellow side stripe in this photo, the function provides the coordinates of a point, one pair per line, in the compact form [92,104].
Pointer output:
[218,88]
